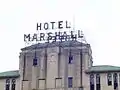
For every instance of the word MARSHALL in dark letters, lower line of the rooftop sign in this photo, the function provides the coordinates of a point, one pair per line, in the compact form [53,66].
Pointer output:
[52,37]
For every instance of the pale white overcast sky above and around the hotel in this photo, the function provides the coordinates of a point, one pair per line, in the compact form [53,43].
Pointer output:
[99,20]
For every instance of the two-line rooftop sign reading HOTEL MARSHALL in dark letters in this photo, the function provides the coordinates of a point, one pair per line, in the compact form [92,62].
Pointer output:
[58,33]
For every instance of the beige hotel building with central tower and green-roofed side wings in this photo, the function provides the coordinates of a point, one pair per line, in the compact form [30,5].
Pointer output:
[64,65]
